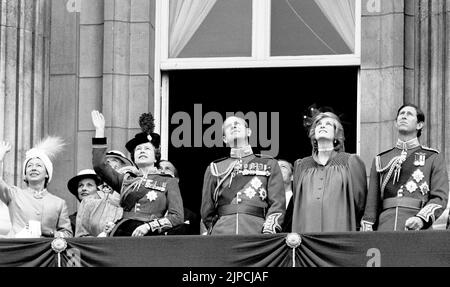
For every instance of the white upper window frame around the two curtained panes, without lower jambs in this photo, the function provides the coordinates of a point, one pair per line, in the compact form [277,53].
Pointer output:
[261,27]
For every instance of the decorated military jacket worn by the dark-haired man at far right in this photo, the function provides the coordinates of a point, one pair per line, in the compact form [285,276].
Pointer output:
[422,180]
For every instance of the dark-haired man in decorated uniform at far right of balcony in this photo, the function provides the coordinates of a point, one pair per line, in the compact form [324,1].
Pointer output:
[408,186]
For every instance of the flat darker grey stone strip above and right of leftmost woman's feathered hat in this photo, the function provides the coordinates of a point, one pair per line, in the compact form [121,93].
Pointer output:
[64,90]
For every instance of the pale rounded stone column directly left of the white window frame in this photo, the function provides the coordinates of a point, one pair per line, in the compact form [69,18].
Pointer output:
[127,67]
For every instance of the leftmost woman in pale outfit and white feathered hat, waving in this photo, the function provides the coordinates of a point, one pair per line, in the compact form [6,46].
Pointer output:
[35,212]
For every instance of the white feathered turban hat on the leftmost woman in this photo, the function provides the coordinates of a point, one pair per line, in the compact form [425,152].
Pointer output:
[46,150]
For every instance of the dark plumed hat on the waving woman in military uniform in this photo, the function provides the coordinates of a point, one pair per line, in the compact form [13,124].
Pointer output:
[146,122]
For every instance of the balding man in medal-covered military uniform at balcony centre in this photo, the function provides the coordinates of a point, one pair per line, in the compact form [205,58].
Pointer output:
[243,193]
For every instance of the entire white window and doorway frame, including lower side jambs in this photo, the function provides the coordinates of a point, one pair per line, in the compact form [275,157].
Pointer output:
[260,58]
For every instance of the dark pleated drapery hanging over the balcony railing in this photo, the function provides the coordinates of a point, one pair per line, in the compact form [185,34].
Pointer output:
[349,249]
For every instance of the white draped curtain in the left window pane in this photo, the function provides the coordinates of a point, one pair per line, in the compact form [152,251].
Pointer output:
[185,18]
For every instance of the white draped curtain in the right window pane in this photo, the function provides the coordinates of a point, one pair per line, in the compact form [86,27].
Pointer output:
[341,14]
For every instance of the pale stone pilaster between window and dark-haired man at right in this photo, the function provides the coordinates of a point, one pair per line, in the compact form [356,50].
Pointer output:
[382,74]
